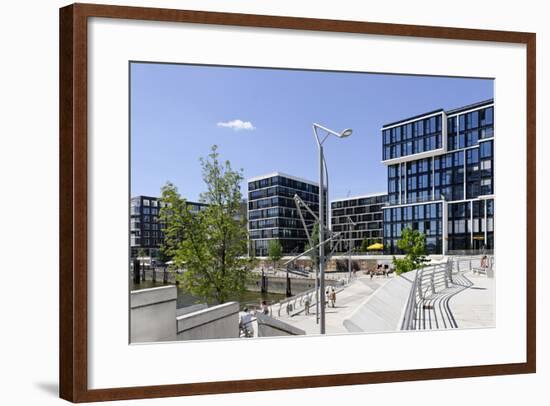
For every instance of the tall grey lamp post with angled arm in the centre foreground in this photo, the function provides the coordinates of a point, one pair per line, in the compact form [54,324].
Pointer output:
[322,168]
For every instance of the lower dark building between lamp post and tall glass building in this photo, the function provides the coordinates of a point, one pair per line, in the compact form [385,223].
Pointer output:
[367,214]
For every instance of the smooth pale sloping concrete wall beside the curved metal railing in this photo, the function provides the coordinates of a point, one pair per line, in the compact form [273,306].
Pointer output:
[382,311]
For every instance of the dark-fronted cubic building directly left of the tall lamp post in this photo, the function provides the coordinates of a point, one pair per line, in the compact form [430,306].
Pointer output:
[272,213]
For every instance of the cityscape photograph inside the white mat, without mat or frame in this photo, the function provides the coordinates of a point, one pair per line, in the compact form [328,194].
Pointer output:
[273,202]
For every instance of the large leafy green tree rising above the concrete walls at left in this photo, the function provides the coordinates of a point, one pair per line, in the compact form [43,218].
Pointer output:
[210,245]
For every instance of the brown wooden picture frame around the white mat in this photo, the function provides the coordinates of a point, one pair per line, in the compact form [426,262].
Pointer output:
[73,201]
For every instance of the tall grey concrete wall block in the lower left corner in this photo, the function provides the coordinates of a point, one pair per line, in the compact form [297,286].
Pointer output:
[153,314]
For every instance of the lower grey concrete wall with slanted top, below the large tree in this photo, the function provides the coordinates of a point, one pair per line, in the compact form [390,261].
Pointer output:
[221,321]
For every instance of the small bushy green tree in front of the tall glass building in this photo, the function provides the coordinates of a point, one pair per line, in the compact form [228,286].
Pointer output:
[413,244]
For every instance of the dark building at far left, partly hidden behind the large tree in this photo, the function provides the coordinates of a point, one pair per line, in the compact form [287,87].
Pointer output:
[146,232]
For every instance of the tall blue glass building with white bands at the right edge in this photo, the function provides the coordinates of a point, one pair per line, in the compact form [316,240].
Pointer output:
[440,178]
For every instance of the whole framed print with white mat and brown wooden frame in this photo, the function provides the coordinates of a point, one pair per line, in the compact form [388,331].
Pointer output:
[318,197]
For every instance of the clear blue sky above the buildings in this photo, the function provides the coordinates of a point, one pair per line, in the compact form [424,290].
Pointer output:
[179,111]
